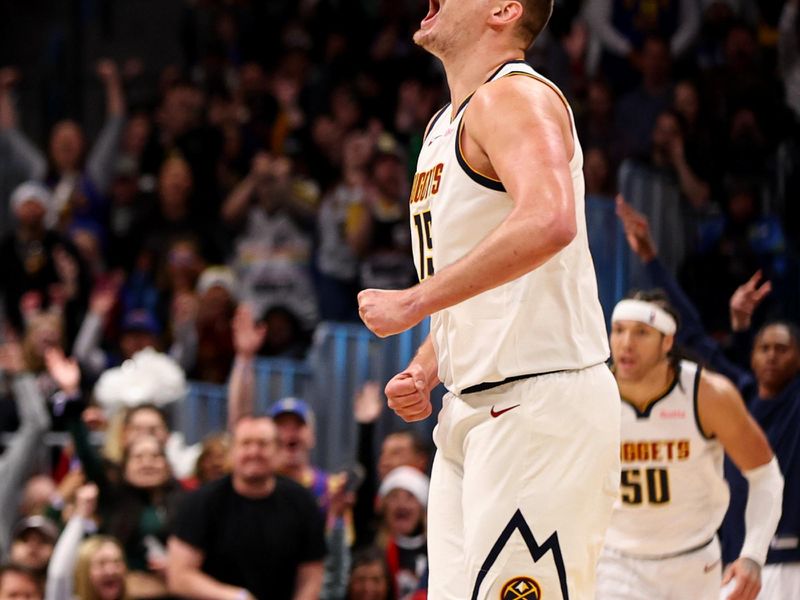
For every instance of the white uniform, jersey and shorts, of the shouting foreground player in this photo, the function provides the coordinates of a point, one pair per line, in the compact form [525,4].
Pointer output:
[526,469]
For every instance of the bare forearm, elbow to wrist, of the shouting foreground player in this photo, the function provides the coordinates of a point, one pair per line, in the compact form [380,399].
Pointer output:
[519,245]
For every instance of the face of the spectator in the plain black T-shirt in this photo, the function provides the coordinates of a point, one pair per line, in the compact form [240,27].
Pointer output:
[253,452]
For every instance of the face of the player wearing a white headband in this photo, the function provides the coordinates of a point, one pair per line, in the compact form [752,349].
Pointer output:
[636,349]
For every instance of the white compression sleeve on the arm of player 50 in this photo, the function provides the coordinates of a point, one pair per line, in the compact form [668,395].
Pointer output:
[764,502]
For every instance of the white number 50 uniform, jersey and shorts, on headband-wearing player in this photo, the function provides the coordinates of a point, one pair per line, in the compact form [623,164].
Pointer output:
[661,544]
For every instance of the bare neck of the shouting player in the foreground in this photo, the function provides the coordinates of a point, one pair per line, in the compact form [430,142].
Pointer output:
[467,71]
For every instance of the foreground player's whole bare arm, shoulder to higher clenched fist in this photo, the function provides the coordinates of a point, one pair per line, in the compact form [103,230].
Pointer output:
[530,155]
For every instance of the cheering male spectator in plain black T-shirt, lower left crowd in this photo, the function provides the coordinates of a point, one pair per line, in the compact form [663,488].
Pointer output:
[249,535]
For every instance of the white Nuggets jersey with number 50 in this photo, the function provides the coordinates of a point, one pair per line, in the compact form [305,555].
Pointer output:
[673,495]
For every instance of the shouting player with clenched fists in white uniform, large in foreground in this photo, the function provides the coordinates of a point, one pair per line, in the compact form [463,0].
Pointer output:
[527,466]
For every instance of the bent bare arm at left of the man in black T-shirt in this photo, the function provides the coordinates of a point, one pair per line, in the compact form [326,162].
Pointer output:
[185,578]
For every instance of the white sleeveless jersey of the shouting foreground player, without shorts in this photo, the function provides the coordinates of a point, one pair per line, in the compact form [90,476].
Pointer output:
[547,320]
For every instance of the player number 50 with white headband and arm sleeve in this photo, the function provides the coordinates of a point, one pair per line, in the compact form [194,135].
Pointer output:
[677,421]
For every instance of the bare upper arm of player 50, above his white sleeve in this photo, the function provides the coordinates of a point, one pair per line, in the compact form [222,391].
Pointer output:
[723,414]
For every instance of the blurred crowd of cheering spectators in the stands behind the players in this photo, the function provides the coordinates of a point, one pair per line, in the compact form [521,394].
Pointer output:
[235,201]
